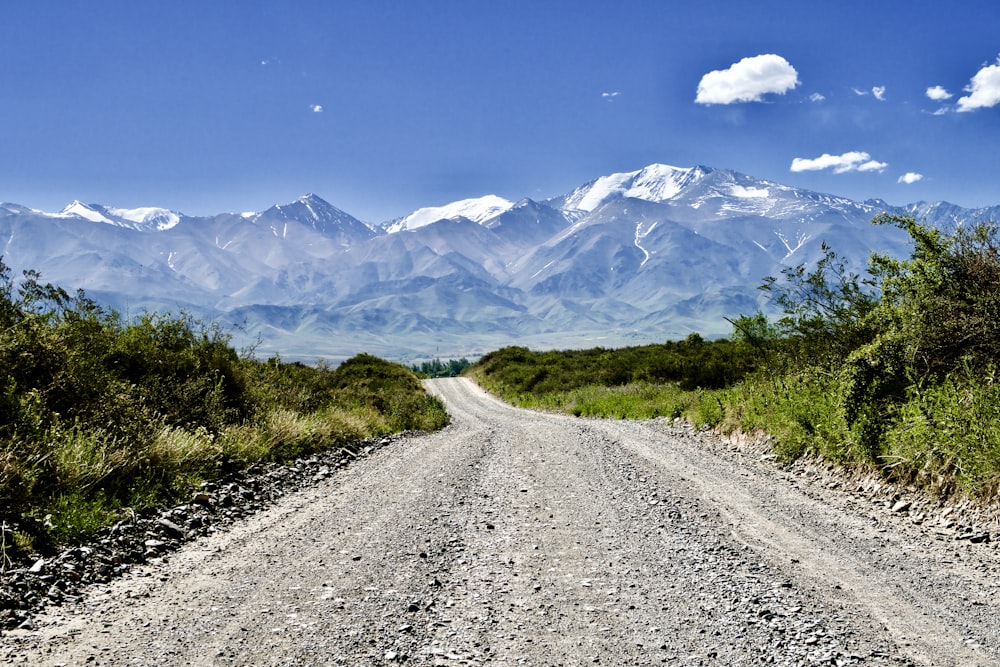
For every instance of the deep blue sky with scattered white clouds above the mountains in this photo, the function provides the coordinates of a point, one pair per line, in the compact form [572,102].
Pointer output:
[385,107]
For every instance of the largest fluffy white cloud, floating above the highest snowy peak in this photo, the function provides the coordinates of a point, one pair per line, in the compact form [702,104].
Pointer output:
[748,80]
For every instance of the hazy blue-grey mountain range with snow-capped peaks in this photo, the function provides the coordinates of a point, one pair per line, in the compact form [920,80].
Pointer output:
[628,258]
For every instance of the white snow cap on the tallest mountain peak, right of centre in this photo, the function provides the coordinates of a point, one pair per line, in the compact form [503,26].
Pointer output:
[655,183]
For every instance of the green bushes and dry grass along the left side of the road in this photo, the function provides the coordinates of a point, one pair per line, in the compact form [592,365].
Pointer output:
[99,415]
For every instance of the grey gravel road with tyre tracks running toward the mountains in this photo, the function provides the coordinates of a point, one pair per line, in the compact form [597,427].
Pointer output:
[522,538]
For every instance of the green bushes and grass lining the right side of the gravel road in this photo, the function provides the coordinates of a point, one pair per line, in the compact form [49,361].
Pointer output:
[895,370]
